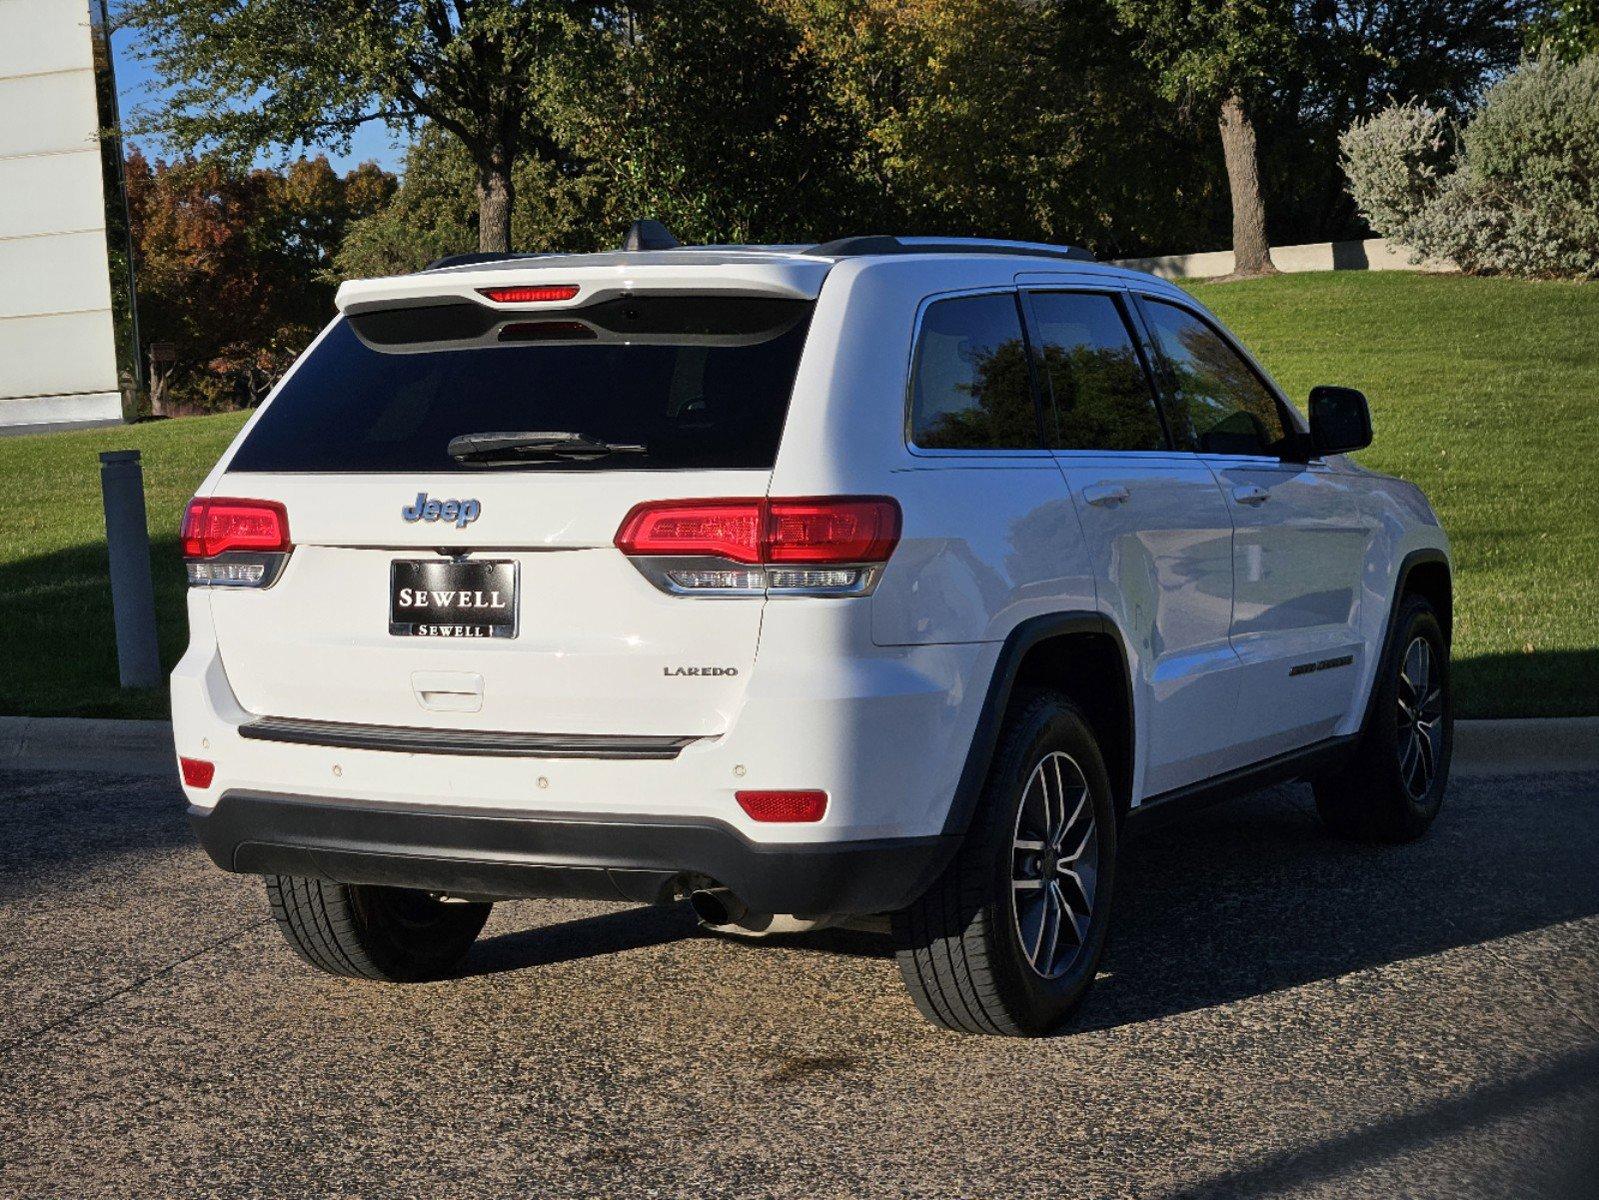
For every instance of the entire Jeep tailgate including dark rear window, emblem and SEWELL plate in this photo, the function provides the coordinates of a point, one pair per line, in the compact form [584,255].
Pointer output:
[685,396]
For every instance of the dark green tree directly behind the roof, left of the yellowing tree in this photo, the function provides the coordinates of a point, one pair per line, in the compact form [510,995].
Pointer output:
[716,118]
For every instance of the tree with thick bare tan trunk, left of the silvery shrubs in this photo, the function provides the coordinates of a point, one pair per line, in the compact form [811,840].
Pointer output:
[1224,57]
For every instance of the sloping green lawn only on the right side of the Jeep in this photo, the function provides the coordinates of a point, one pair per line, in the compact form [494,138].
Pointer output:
[1486,394]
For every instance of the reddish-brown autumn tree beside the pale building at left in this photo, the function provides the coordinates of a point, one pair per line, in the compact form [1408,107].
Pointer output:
[233,268]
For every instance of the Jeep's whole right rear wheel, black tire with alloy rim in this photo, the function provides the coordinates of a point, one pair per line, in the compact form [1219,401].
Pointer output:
[970,950]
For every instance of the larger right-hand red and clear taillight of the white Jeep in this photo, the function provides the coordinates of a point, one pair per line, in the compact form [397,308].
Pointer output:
[811,546]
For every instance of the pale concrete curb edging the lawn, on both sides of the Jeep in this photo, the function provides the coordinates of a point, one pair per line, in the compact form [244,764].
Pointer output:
[1485,750]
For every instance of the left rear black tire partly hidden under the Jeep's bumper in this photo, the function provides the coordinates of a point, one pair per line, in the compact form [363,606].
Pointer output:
[364,932]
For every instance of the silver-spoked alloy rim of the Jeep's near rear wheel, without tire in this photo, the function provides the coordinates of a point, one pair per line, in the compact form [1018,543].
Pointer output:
[1055,865]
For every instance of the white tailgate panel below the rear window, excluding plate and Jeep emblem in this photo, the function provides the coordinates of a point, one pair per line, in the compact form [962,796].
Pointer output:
[597,649]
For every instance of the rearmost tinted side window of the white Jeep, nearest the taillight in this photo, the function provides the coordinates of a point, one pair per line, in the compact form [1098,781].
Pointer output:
[970,377]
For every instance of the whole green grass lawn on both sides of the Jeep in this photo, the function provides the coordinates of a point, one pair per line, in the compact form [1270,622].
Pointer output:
[1486,393]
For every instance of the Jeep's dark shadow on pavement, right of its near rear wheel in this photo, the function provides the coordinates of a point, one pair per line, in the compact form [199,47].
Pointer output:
[1256,897]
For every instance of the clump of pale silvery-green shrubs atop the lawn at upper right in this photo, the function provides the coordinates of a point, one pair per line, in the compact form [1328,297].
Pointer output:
[1523,198]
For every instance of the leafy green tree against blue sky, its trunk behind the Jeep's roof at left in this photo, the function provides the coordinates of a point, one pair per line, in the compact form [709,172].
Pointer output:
[266,74]
